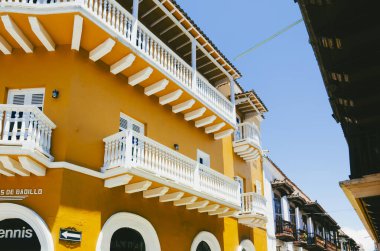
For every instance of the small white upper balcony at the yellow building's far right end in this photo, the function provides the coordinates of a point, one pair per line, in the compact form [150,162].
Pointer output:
[247,142]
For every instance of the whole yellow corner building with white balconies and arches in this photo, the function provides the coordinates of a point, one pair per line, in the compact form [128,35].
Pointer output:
[122,128]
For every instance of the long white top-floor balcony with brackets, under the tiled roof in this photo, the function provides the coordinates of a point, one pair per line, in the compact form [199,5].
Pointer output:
[111,15]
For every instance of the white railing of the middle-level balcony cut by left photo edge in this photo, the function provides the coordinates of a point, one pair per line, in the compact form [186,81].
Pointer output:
[26,126]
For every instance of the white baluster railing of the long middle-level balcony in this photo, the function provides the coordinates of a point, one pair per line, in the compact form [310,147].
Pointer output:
[132,150]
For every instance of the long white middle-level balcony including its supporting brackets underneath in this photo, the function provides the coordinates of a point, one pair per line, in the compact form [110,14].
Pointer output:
[171,172]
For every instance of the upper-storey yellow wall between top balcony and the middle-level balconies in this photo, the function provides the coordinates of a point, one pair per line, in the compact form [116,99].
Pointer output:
[89,105]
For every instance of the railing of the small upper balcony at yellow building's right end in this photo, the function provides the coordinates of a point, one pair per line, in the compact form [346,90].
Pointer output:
[248,132]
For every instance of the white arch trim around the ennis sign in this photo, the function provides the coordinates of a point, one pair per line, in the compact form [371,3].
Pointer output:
[12,211]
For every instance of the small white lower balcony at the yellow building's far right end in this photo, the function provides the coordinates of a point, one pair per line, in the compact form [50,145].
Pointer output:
[253,212]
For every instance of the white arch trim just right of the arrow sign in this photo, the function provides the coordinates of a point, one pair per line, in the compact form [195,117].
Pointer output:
[128,220]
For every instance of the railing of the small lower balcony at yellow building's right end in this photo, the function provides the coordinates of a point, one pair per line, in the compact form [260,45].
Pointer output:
[253,203]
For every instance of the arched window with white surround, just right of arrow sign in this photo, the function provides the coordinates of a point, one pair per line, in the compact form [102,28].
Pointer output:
[128,232]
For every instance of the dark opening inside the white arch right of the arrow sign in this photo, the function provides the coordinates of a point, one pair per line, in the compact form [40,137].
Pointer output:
[127,239]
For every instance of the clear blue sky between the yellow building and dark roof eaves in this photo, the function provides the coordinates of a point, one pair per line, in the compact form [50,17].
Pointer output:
[302,137]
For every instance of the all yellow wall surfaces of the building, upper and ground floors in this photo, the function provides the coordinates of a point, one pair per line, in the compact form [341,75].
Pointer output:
[86,111]
